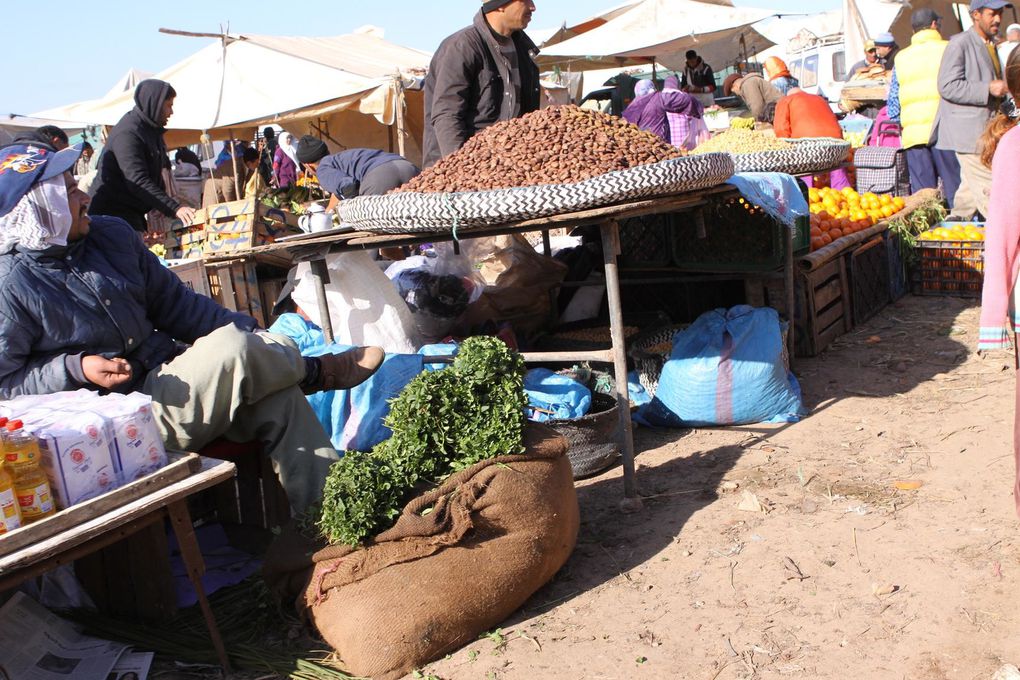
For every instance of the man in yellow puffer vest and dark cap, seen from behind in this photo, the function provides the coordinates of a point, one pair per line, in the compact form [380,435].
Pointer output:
[914,102]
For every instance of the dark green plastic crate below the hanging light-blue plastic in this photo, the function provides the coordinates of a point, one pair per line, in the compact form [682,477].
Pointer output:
[739,237]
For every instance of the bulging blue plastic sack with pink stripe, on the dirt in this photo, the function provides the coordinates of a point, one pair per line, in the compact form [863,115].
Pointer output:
[727,370]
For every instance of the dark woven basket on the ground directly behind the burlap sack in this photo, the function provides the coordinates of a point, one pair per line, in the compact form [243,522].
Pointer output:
[592,438]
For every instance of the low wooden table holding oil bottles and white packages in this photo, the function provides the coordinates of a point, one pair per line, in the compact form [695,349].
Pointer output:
[110,528]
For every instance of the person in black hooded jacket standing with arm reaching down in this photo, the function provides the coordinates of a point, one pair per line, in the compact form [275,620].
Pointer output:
[130,183]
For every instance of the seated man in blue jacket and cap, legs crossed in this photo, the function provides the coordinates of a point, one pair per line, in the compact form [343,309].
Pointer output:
[84,304]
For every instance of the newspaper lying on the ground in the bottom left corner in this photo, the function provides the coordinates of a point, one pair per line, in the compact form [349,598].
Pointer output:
[36,645]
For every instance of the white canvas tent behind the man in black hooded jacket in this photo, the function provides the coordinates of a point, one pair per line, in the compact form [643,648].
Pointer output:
[238,83]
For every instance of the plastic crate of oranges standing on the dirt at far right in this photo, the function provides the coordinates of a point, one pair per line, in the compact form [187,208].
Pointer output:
[952,268]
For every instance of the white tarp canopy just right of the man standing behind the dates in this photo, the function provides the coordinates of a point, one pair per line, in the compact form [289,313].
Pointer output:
[664,30]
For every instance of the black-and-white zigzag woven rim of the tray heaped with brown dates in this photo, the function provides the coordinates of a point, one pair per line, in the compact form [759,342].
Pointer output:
[397,214]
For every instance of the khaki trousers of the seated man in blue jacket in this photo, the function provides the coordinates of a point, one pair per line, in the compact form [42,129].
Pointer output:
[243,387]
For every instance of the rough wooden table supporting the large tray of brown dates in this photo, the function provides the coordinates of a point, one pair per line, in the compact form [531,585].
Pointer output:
[315,248]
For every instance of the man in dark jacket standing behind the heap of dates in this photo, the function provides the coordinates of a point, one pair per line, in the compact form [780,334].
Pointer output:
[480,76]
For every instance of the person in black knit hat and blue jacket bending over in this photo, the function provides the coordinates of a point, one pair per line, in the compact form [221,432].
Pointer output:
[355,172]
